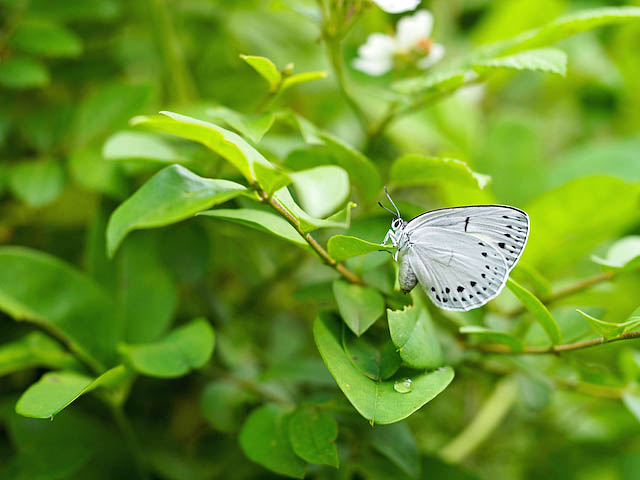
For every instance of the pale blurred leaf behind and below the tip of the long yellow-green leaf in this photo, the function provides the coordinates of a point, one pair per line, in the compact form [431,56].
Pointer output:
[140,146]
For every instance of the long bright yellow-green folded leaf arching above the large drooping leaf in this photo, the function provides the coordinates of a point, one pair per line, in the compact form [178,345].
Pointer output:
[225,143]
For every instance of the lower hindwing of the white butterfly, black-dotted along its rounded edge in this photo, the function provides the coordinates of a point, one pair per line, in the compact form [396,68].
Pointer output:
[457,270]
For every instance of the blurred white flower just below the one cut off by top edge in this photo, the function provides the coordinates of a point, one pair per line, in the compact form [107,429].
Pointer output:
[411,41]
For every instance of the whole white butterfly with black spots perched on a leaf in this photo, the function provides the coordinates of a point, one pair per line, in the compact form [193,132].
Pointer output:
[461,256]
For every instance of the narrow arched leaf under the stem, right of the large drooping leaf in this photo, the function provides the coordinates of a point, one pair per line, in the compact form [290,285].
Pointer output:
[260,220]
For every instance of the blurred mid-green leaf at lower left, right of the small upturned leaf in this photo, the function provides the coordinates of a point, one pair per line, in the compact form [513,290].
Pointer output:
[187,347]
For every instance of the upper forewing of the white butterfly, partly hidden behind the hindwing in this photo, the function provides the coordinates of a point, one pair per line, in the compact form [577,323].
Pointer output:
[503,227]
